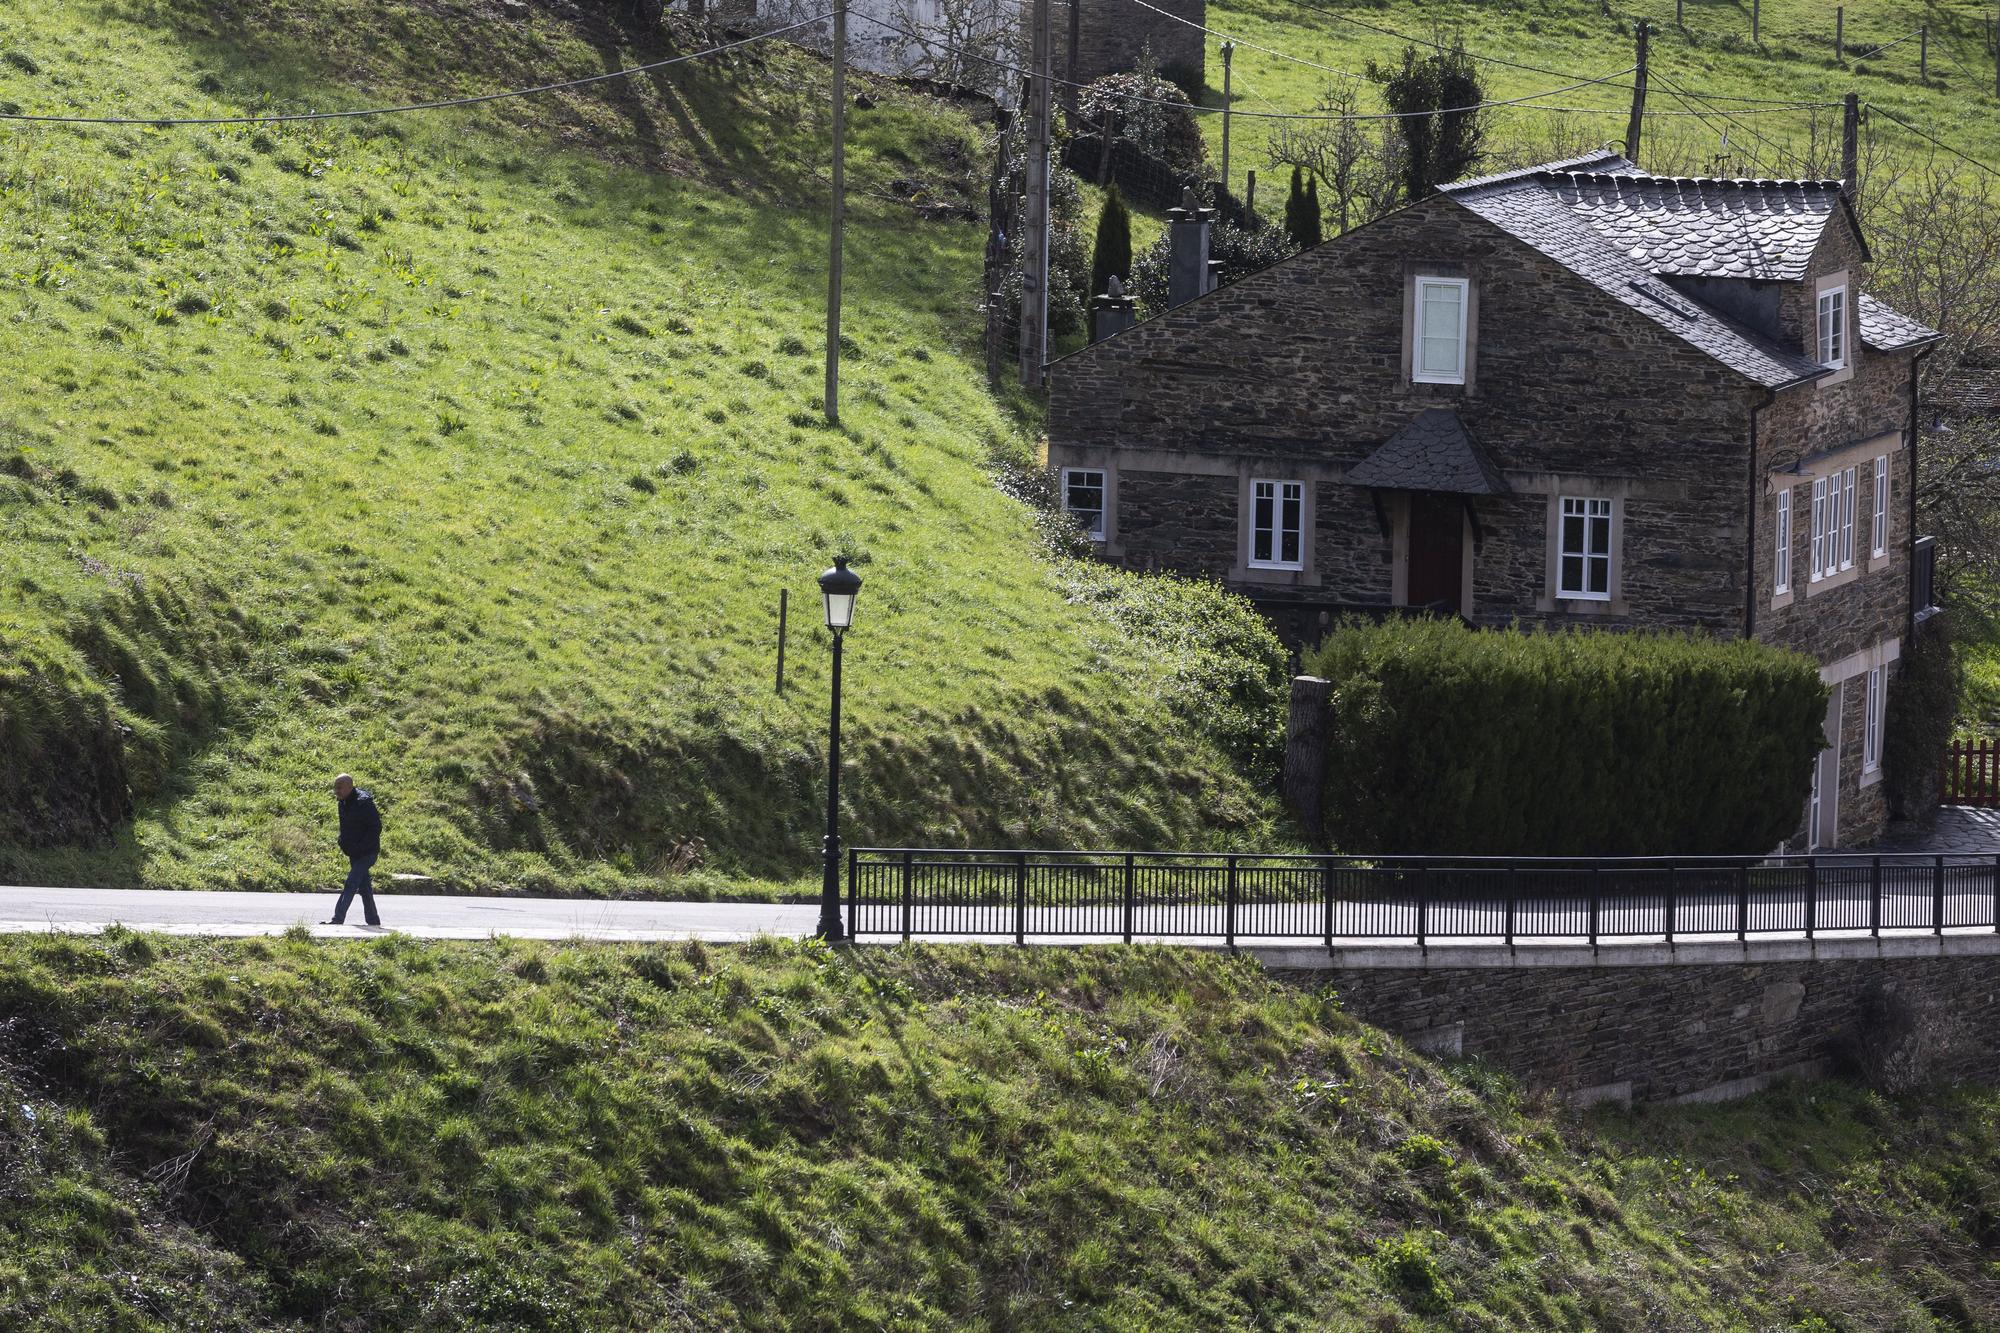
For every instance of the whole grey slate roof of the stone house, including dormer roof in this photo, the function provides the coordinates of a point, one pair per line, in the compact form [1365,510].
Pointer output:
[1625,231]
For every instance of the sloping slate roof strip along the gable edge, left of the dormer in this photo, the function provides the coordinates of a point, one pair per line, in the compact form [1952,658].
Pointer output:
[1527,207]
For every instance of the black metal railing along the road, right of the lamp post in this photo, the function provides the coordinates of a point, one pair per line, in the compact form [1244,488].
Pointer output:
[1235,898]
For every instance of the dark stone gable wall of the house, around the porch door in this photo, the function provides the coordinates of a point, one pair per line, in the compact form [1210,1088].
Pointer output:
[1301,371]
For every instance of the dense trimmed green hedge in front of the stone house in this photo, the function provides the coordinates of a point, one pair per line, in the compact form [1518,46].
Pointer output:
[1575,744]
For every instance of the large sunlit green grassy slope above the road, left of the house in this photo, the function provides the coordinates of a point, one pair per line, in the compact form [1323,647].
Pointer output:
[471,451]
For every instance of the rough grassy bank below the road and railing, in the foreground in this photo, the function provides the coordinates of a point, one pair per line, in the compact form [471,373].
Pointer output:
[509,1136]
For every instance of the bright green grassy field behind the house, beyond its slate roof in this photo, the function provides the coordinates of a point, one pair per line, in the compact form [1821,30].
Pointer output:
[1711,53]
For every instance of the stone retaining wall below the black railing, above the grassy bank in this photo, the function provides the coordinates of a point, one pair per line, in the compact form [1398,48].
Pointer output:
[1659,1034]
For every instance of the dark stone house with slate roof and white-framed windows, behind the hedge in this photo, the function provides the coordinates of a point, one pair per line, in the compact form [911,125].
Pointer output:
[1563,395]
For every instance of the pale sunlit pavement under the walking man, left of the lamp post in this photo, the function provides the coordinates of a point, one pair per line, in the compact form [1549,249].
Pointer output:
[421,916]
